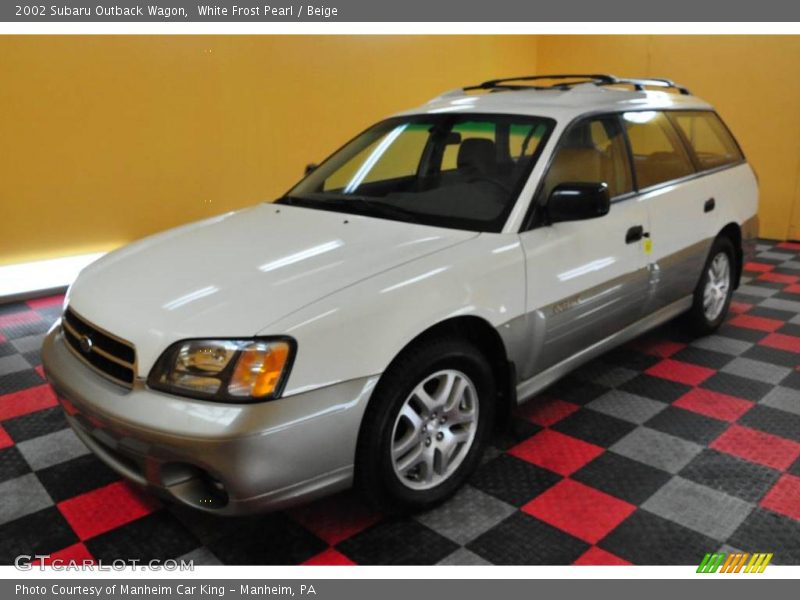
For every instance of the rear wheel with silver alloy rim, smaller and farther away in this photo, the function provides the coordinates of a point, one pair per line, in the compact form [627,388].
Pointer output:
[711,302]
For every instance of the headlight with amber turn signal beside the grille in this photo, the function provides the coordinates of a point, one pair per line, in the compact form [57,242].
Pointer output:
[226,370]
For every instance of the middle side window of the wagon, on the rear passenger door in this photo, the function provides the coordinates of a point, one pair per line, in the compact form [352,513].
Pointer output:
[658,152]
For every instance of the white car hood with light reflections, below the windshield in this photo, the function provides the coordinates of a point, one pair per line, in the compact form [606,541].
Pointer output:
[235,274]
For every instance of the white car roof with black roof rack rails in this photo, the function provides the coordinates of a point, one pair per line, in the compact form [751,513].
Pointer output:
[561,102]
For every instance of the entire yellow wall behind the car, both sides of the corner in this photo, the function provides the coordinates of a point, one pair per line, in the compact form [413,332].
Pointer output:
[105,139]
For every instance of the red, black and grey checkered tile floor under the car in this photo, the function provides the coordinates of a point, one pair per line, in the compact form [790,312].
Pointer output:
[656,453]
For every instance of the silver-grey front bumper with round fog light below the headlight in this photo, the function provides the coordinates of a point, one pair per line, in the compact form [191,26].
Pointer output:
[220,458]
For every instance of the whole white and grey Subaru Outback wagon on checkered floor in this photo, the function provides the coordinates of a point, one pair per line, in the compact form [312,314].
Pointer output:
[371,325]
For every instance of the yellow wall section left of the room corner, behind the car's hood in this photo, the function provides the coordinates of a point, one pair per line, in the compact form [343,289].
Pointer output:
[106,139]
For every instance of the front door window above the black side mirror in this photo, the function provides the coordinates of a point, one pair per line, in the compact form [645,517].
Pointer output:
[591,151]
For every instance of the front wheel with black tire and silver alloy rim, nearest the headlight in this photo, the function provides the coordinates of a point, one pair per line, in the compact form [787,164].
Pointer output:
[415,386]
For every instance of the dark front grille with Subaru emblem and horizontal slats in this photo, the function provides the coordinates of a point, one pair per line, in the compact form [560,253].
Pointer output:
[108,355]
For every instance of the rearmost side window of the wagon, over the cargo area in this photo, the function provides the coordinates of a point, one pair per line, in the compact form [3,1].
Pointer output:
[711,142]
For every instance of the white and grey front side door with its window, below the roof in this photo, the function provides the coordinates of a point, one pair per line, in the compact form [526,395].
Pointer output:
[586,280]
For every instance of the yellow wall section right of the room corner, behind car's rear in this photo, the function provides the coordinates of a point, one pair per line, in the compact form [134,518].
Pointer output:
[751,80]
